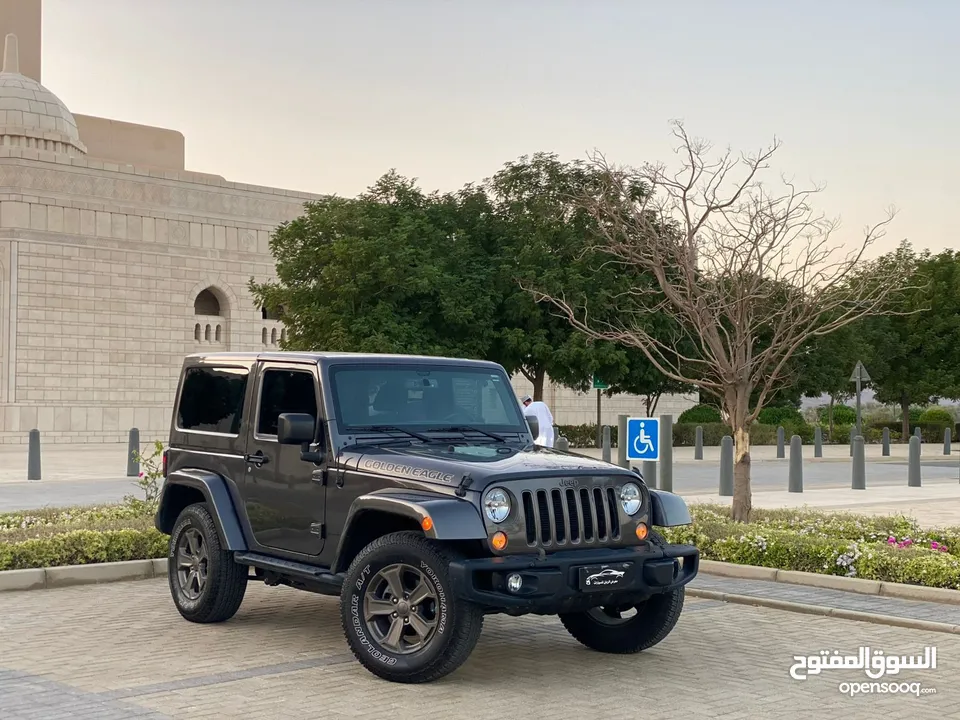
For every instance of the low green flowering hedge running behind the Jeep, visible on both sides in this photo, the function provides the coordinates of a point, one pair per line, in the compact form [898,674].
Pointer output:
[885,548]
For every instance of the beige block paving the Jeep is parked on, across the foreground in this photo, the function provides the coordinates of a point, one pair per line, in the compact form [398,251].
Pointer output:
[120,651]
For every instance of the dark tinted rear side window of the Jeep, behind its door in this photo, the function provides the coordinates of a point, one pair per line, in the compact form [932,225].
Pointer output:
[212,400]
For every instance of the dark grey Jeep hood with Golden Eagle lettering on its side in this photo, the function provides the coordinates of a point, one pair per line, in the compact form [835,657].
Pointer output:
[444,464]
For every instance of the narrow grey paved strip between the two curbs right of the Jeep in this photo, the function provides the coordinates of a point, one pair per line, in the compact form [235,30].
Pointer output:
[880,605]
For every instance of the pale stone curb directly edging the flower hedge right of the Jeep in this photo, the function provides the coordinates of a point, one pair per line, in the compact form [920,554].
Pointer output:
[899,591]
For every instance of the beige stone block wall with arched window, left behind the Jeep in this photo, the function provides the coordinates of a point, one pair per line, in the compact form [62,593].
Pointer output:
[107,263]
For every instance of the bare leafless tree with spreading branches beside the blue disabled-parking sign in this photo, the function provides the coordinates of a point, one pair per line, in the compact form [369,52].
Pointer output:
[750,275]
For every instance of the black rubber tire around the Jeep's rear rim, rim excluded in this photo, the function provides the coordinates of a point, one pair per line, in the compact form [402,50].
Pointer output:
[226,580]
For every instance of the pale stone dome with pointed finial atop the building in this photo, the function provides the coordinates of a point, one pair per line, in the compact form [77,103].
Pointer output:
[30,115]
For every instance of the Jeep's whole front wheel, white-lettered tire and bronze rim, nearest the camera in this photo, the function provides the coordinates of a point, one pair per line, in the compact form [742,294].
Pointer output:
[398,614]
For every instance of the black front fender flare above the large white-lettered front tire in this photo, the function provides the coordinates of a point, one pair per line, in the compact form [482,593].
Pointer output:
[450,518]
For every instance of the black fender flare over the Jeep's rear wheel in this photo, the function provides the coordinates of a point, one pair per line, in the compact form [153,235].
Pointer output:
[215,492]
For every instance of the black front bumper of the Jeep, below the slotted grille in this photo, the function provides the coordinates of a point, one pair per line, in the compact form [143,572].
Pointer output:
[554,583]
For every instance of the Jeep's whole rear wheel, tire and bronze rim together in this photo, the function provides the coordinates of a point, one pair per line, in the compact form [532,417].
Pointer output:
[206,584]
